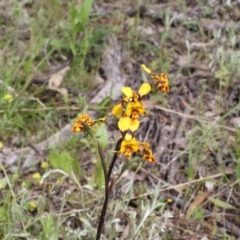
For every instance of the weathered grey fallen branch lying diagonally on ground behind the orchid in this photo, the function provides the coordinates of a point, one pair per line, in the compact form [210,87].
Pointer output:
[12,159]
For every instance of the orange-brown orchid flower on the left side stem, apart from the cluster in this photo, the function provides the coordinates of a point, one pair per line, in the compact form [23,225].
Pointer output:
[84,121]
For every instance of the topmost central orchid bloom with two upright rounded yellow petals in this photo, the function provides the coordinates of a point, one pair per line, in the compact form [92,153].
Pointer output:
[131,96]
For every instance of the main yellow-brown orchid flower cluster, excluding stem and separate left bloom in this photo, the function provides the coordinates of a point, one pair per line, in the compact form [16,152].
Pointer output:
[130,110]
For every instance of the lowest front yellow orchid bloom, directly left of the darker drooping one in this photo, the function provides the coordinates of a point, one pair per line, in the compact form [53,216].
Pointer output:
[129,145]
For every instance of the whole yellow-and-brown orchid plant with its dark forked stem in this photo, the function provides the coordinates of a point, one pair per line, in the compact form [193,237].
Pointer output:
[129,112]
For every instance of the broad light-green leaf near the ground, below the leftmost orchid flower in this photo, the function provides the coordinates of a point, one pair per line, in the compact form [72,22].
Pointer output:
[64,161]
